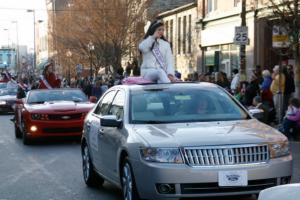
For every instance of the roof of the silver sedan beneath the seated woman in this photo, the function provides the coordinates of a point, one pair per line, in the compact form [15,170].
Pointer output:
[181,85]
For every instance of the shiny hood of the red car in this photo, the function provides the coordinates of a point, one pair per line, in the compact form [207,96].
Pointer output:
[59,106]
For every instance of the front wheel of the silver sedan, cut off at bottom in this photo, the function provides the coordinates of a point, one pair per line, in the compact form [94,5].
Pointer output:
[128,182]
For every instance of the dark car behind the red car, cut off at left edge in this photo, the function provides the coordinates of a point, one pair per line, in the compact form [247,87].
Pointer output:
[8,99]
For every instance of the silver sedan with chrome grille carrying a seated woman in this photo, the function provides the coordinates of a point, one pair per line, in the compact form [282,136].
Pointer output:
[170,141]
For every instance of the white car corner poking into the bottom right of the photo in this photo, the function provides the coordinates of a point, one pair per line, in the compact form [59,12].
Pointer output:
[286,192]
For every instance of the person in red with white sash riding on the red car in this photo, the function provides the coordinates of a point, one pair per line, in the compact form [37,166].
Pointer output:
[48,79]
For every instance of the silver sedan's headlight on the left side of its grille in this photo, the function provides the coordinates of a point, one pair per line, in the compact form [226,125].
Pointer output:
[162,155]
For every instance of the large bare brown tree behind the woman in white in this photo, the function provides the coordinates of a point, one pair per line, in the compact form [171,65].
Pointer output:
[113,26]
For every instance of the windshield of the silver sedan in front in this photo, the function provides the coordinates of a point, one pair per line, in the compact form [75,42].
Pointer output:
[188,105]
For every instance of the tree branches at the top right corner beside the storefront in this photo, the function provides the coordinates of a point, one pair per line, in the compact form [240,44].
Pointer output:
[286,12]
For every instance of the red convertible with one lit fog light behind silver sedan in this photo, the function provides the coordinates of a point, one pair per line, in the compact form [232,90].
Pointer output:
[51,113]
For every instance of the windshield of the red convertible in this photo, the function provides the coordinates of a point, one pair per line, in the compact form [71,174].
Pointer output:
[41,96]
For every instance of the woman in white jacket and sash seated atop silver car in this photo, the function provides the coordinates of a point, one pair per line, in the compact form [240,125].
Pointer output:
[158,61]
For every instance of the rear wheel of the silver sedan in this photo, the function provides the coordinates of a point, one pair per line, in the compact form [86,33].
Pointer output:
[91,178]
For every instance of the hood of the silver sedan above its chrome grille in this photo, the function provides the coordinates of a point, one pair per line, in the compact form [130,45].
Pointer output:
[207,133]
